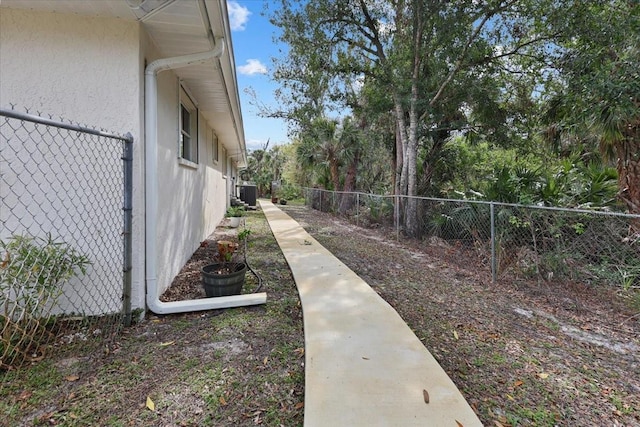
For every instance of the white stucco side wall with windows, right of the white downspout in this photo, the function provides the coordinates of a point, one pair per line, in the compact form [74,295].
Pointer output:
[192,198]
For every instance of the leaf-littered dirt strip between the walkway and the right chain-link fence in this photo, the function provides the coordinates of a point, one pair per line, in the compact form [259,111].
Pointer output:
[522,353]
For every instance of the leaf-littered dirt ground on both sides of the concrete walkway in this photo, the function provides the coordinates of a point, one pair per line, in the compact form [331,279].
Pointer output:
[522,353]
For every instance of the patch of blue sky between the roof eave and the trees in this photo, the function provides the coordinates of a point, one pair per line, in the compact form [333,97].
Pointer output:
[253,47]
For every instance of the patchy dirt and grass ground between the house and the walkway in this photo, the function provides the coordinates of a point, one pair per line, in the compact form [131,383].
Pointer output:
[232,367]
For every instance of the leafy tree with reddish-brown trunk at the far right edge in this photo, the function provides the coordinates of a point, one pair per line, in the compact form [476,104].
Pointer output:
[597,90]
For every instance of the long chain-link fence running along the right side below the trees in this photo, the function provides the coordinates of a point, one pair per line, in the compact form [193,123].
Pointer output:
[550,244]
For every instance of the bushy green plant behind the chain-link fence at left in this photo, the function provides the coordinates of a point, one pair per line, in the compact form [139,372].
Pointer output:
[32,275]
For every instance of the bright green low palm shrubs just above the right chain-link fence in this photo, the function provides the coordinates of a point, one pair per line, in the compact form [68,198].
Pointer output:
[478,171]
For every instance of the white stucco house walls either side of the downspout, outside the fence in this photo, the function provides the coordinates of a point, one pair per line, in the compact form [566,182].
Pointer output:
[91,70]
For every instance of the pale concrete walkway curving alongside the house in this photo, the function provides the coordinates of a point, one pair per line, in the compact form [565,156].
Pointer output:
[363,365]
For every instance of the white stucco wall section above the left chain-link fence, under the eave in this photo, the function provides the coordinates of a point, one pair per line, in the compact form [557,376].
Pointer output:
[81,68]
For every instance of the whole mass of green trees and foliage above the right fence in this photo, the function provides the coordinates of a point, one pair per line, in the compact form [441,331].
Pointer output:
[459,93]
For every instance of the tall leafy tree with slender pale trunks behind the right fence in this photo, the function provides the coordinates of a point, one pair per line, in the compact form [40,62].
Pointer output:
[423,54]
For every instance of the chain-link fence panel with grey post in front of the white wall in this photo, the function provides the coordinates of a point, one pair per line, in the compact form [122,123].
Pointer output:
[65,242]
